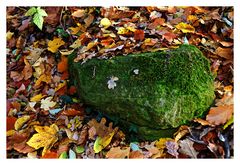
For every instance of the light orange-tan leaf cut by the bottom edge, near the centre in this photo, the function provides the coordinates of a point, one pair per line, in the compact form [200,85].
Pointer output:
[118,153]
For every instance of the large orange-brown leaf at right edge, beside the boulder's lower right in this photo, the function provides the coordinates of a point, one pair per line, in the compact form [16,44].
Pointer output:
[220,115]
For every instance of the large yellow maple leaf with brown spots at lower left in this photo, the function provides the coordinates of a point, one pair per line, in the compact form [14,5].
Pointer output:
[45,137]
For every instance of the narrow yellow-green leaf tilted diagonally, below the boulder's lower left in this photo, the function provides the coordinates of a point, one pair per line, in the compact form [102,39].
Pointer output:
[101,143]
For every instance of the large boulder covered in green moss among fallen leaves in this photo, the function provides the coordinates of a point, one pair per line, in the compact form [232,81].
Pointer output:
[156,92]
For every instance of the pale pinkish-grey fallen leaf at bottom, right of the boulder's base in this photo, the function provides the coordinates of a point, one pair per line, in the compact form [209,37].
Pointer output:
[186,147]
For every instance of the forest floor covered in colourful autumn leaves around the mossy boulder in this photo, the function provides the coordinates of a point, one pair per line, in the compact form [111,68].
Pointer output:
[44,116]
